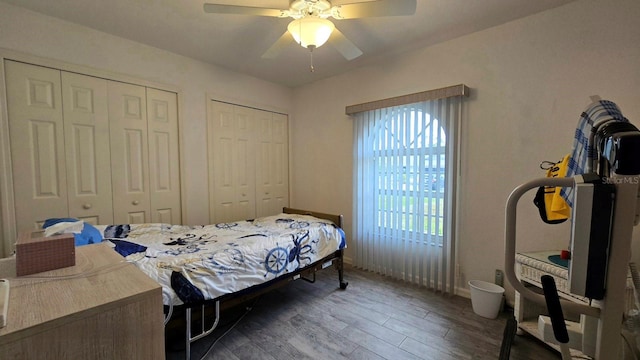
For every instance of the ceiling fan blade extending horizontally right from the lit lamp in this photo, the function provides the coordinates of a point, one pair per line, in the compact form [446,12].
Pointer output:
[374,9]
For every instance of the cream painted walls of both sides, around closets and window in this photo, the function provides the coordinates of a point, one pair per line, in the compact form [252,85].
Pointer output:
[530,80]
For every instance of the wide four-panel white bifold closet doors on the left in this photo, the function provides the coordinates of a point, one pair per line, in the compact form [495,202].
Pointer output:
[90,148]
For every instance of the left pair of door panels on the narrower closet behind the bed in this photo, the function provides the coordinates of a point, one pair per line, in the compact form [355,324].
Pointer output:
[231,164]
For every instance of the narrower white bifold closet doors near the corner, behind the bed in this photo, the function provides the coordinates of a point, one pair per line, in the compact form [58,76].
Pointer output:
[248,162]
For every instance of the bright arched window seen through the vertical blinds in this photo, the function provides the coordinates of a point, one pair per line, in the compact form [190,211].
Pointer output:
[409,158]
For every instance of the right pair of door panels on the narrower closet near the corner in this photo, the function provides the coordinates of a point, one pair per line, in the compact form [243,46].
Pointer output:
[272,189]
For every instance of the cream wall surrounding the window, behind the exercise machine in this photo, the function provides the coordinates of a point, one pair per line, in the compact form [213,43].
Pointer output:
[530,80]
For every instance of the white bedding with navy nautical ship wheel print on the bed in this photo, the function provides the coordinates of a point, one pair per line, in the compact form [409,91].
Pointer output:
[197,263]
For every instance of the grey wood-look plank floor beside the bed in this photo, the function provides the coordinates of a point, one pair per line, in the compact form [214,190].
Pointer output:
[374,318]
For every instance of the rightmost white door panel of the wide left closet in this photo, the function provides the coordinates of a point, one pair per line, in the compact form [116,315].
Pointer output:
[164,167]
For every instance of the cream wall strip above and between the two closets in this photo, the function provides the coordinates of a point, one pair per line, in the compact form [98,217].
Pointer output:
[35,34]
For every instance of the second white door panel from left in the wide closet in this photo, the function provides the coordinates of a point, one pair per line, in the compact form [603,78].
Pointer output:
[86,139]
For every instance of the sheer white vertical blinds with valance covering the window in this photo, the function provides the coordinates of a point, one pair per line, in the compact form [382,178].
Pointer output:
[405,172]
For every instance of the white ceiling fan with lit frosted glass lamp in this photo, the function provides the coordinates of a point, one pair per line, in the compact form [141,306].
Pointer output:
[311,27]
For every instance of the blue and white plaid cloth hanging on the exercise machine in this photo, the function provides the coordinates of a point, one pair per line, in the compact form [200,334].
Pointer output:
[584,154]
